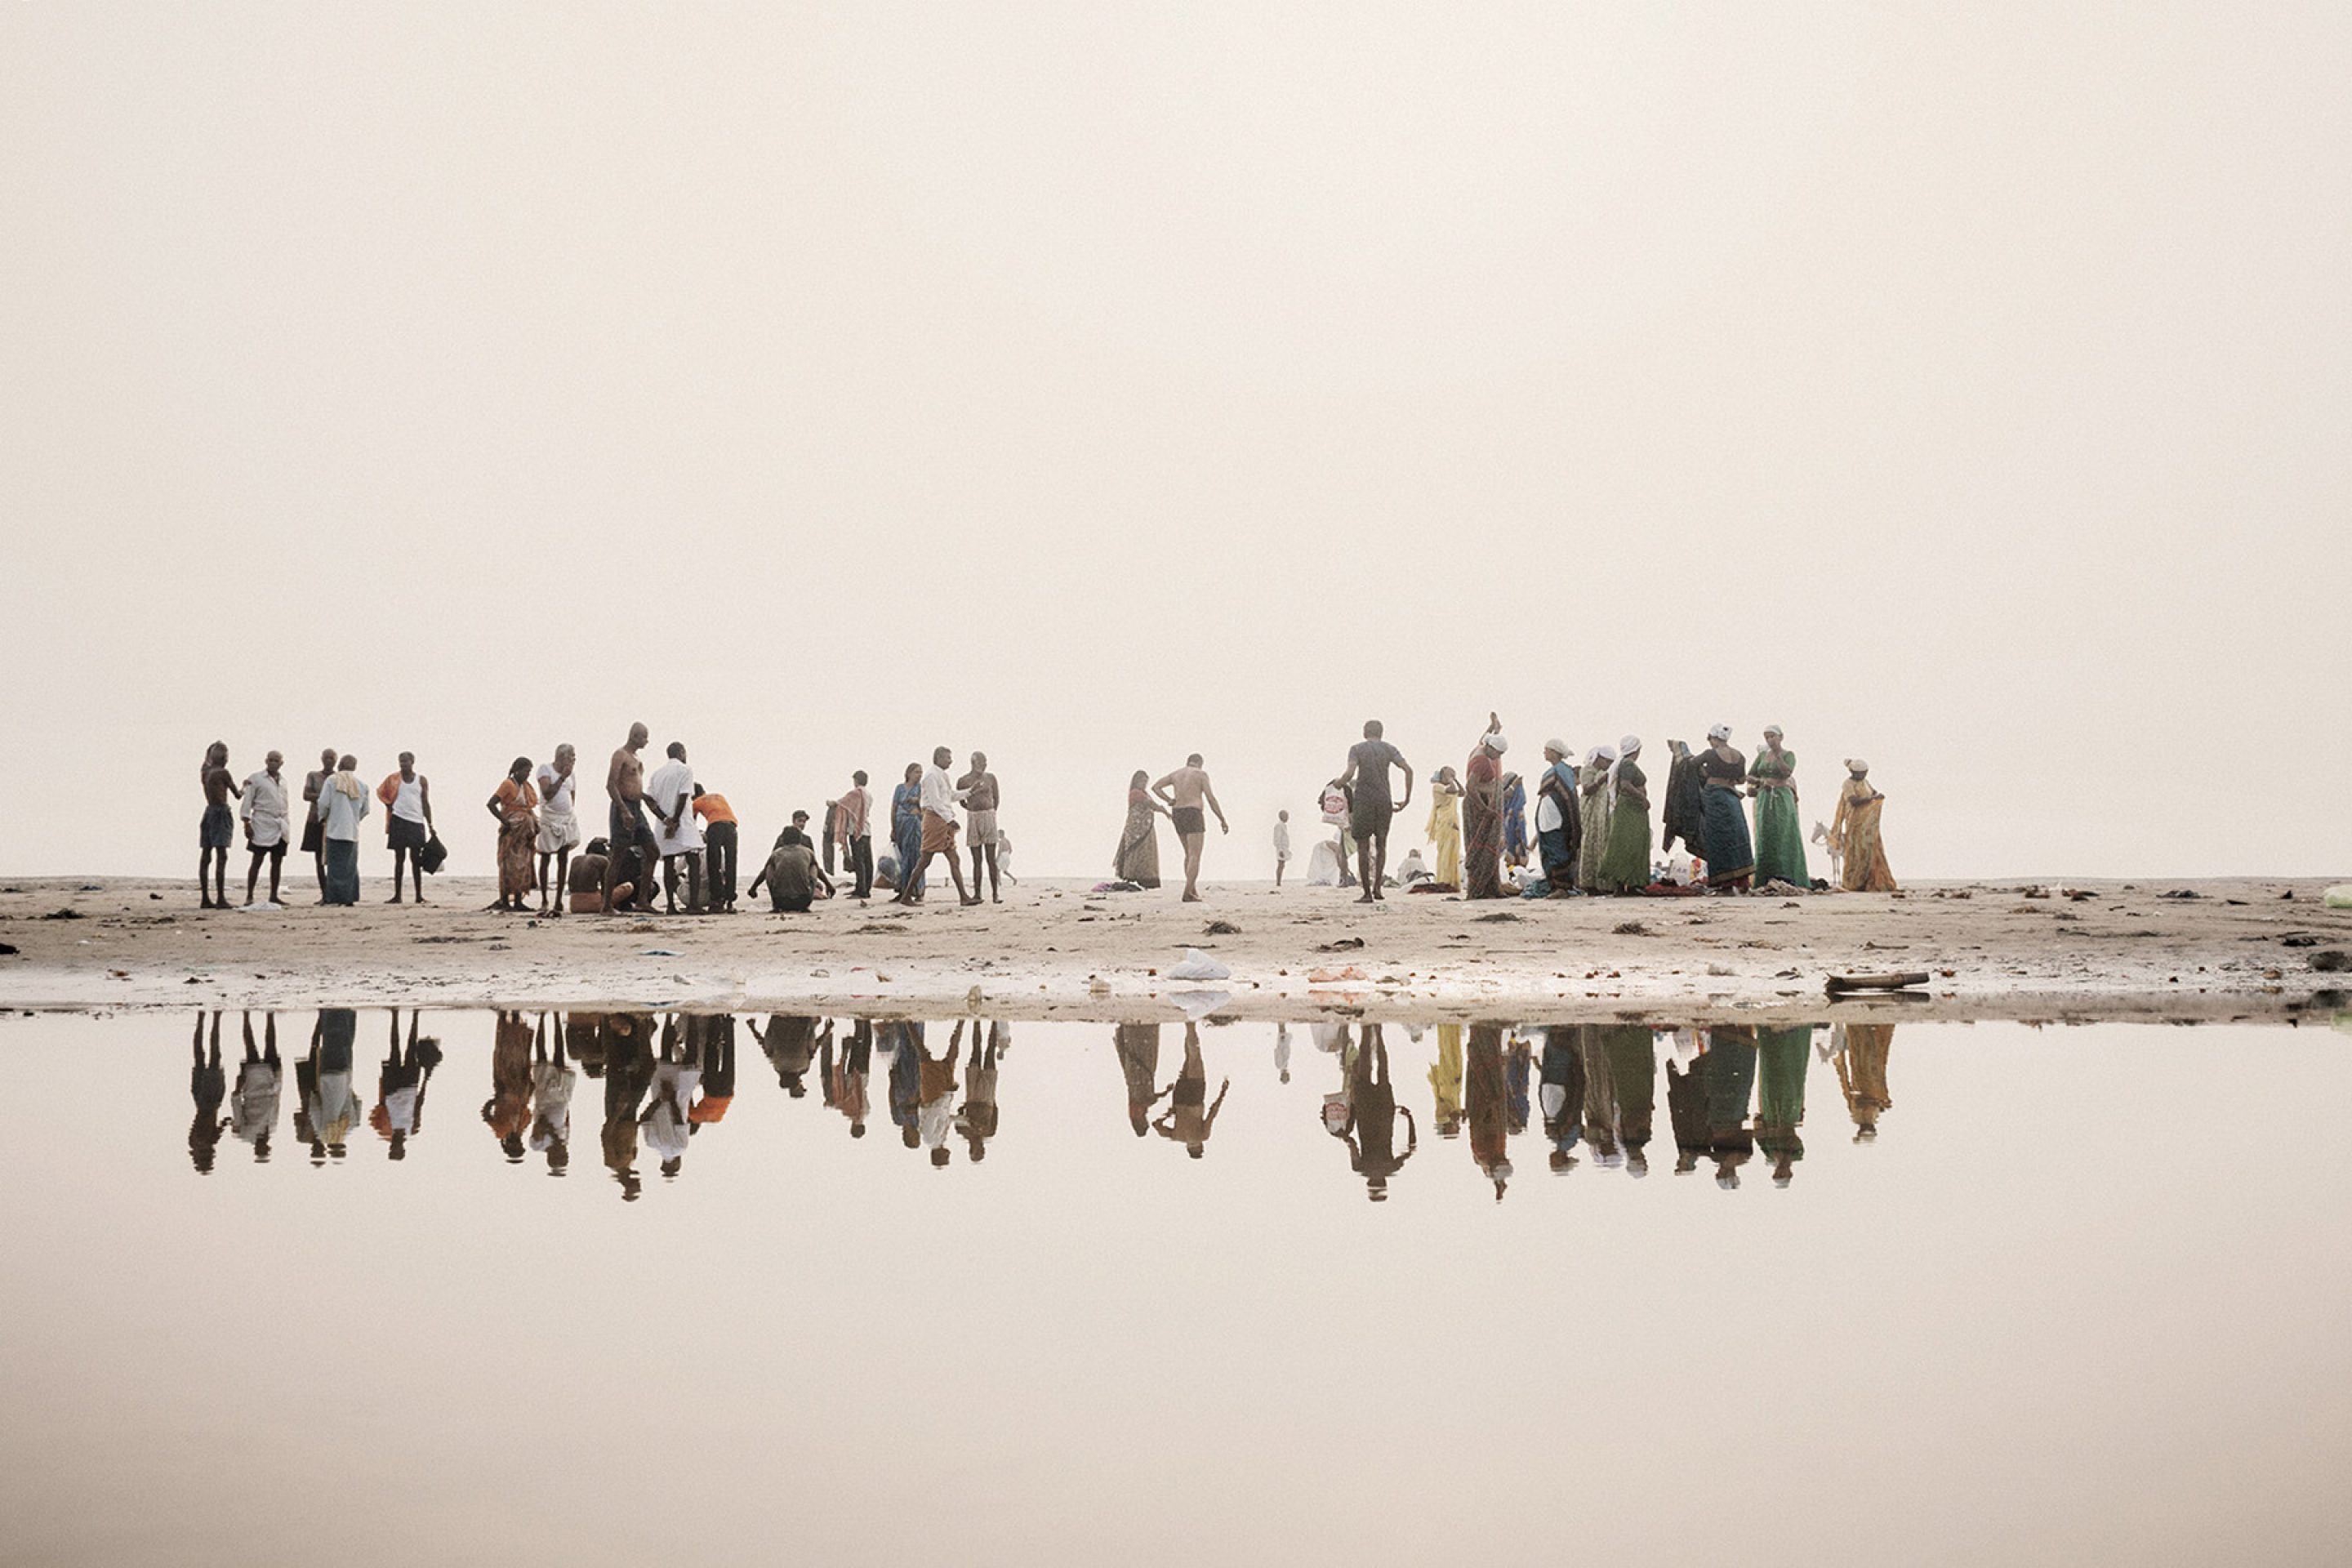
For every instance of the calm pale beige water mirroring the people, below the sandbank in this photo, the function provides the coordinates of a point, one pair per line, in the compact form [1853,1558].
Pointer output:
[641,1287]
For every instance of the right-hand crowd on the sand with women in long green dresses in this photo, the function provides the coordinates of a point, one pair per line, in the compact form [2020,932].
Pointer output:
[1593,822]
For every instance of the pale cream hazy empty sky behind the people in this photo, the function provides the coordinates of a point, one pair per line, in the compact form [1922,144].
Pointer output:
[1958,387]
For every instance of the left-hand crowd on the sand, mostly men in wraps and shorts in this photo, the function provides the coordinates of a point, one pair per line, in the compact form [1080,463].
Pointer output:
[662,829]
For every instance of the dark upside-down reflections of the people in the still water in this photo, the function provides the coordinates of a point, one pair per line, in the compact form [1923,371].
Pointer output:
[1589,1092]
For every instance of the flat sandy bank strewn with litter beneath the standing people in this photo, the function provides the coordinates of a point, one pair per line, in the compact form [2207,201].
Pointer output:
[2240,949]
